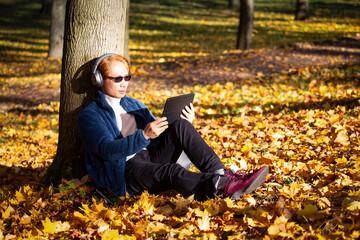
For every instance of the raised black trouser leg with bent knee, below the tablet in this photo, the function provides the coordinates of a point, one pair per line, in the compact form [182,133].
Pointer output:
[182,136]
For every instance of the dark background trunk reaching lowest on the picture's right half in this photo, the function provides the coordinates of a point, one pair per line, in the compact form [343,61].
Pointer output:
[244,37]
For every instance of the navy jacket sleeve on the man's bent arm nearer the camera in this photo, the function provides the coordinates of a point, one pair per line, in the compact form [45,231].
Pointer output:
[97,134]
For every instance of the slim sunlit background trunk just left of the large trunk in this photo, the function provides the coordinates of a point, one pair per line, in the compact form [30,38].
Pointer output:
[57,29]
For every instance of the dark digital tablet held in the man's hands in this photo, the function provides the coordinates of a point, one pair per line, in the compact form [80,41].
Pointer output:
[174,106]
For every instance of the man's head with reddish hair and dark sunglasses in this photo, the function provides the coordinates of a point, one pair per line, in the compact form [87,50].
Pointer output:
[115,72]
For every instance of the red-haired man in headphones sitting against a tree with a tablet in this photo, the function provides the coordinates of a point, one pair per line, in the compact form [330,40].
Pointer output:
[129,150]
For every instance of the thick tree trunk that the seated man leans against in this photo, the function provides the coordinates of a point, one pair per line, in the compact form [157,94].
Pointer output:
[92,28]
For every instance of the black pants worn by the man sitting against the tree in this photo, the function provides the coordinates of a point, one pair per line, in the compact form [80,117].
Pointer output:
[155,170]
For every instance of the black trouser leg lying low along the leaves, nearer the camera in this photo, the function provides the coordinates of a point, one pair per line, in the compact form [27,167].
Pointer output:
[142,174]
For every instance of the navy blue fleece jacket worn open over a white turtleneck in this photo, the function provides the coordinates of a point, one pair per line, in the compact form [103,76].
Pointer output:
[105,148]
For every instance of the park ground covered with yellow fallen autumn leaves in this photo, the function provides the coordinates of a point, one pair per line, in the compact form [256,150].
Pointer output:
[293,106]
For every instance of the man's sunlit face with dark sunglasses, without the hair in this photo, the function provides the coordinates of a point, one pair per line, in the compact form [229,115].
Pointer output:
[112,88]
